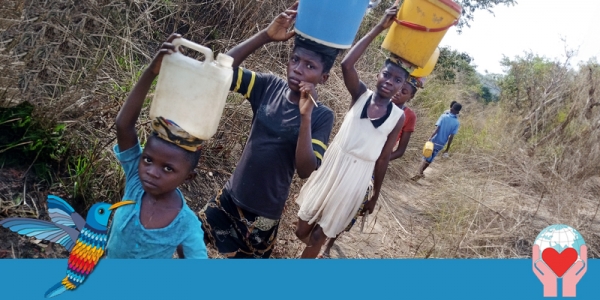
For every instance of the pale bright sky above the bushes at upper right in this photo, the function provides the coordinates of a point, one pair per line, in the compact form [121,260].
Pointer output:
[530,25]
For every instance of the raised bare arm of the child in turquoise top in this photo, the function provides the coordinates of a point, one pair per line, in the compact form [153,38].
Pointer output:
[130,111]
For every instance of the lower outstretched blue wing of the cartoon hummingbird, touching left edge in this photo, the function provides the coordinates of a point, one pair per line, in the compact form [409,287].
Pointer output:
[43,230]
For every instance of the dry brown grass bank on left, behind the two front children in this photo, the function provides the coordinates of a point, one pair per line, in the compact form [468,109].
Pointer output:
[77,62]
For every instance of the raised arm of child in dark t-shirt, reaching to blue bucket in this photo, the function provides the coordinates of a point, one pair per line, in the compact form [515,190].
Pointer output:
[277,31]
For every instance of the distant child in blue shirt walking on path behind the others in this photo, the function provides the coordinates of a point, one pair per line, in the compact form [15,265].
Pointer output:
[446,128]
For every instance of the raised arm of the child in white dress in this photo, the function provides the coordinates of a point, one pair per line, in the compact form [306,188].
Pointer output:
[354,85]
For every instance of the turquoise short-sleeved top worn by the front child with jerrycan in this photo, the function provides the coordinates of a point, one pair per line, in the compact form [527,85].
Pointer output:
[127,236]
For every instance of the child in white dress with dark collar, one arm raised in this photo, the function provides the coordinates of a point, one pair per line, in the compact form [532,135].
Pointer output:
[333,194]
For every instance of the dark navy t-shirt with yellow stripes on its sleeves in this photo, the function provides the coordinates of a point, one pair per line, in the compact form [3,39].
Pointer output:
[261,181]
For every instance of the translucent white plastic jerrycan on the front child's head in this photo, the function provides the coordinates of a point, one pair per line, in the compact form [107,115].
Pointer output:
[192,93]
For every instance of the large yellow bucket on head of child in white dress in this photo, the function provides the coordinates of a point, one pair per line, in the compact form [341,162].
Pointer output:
[419,28]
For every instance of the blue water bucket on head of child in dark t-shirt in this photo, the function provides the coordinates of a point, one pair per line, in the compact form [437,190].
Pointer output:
[333,23]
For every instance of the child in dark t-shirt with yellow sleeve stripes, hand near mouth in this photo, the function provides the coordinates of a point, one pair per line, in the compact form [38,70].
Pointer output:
[288,134]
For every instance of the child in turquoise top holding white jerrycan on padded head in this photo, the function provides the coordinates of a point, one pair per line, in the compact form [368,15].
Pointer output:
[160,222]
